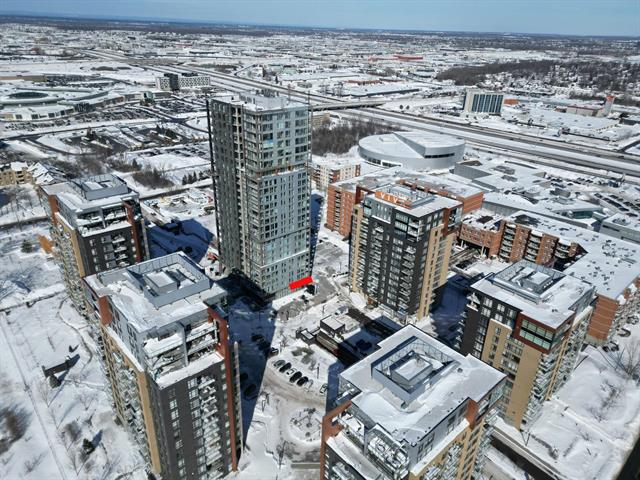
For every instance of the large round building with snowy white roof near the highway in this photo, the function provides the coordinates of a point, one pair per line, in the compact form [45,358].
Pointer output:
[416,150]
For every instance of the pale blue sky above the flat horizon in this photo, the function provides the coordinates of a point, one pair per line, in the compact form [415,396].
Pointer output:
[571,17]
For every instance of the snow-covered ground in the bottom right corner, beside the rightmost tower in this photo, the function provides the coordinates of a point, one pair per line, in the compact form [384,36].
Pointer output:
[587,430]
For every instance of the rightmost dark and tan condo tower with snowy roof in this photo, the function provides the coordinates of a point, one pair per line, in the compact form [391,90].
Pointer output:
[530,322]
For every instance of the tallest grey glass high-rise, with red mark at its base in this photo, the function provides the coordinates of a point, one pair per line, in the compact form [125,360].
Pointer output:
[262,162]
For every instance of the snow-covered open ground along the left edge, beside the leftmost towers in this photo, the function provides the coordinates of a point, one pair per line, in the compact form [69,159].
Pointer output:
[38,327]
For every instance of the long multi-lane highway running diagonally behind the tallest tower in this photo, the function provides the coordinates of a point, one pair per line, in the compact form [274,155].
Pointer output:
[594,160]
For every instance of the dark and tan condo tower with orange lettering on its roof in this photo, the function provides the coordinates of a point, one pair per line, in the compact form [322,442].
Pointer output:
[401,241]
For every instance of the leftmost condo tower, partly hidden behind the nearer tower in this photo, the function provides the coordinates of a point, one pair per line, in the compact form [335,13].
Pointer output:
[96,225]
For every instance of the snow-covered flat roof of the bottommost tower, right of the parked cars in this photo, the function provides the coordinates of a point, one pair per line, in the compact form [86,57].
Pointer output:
[414,381]
